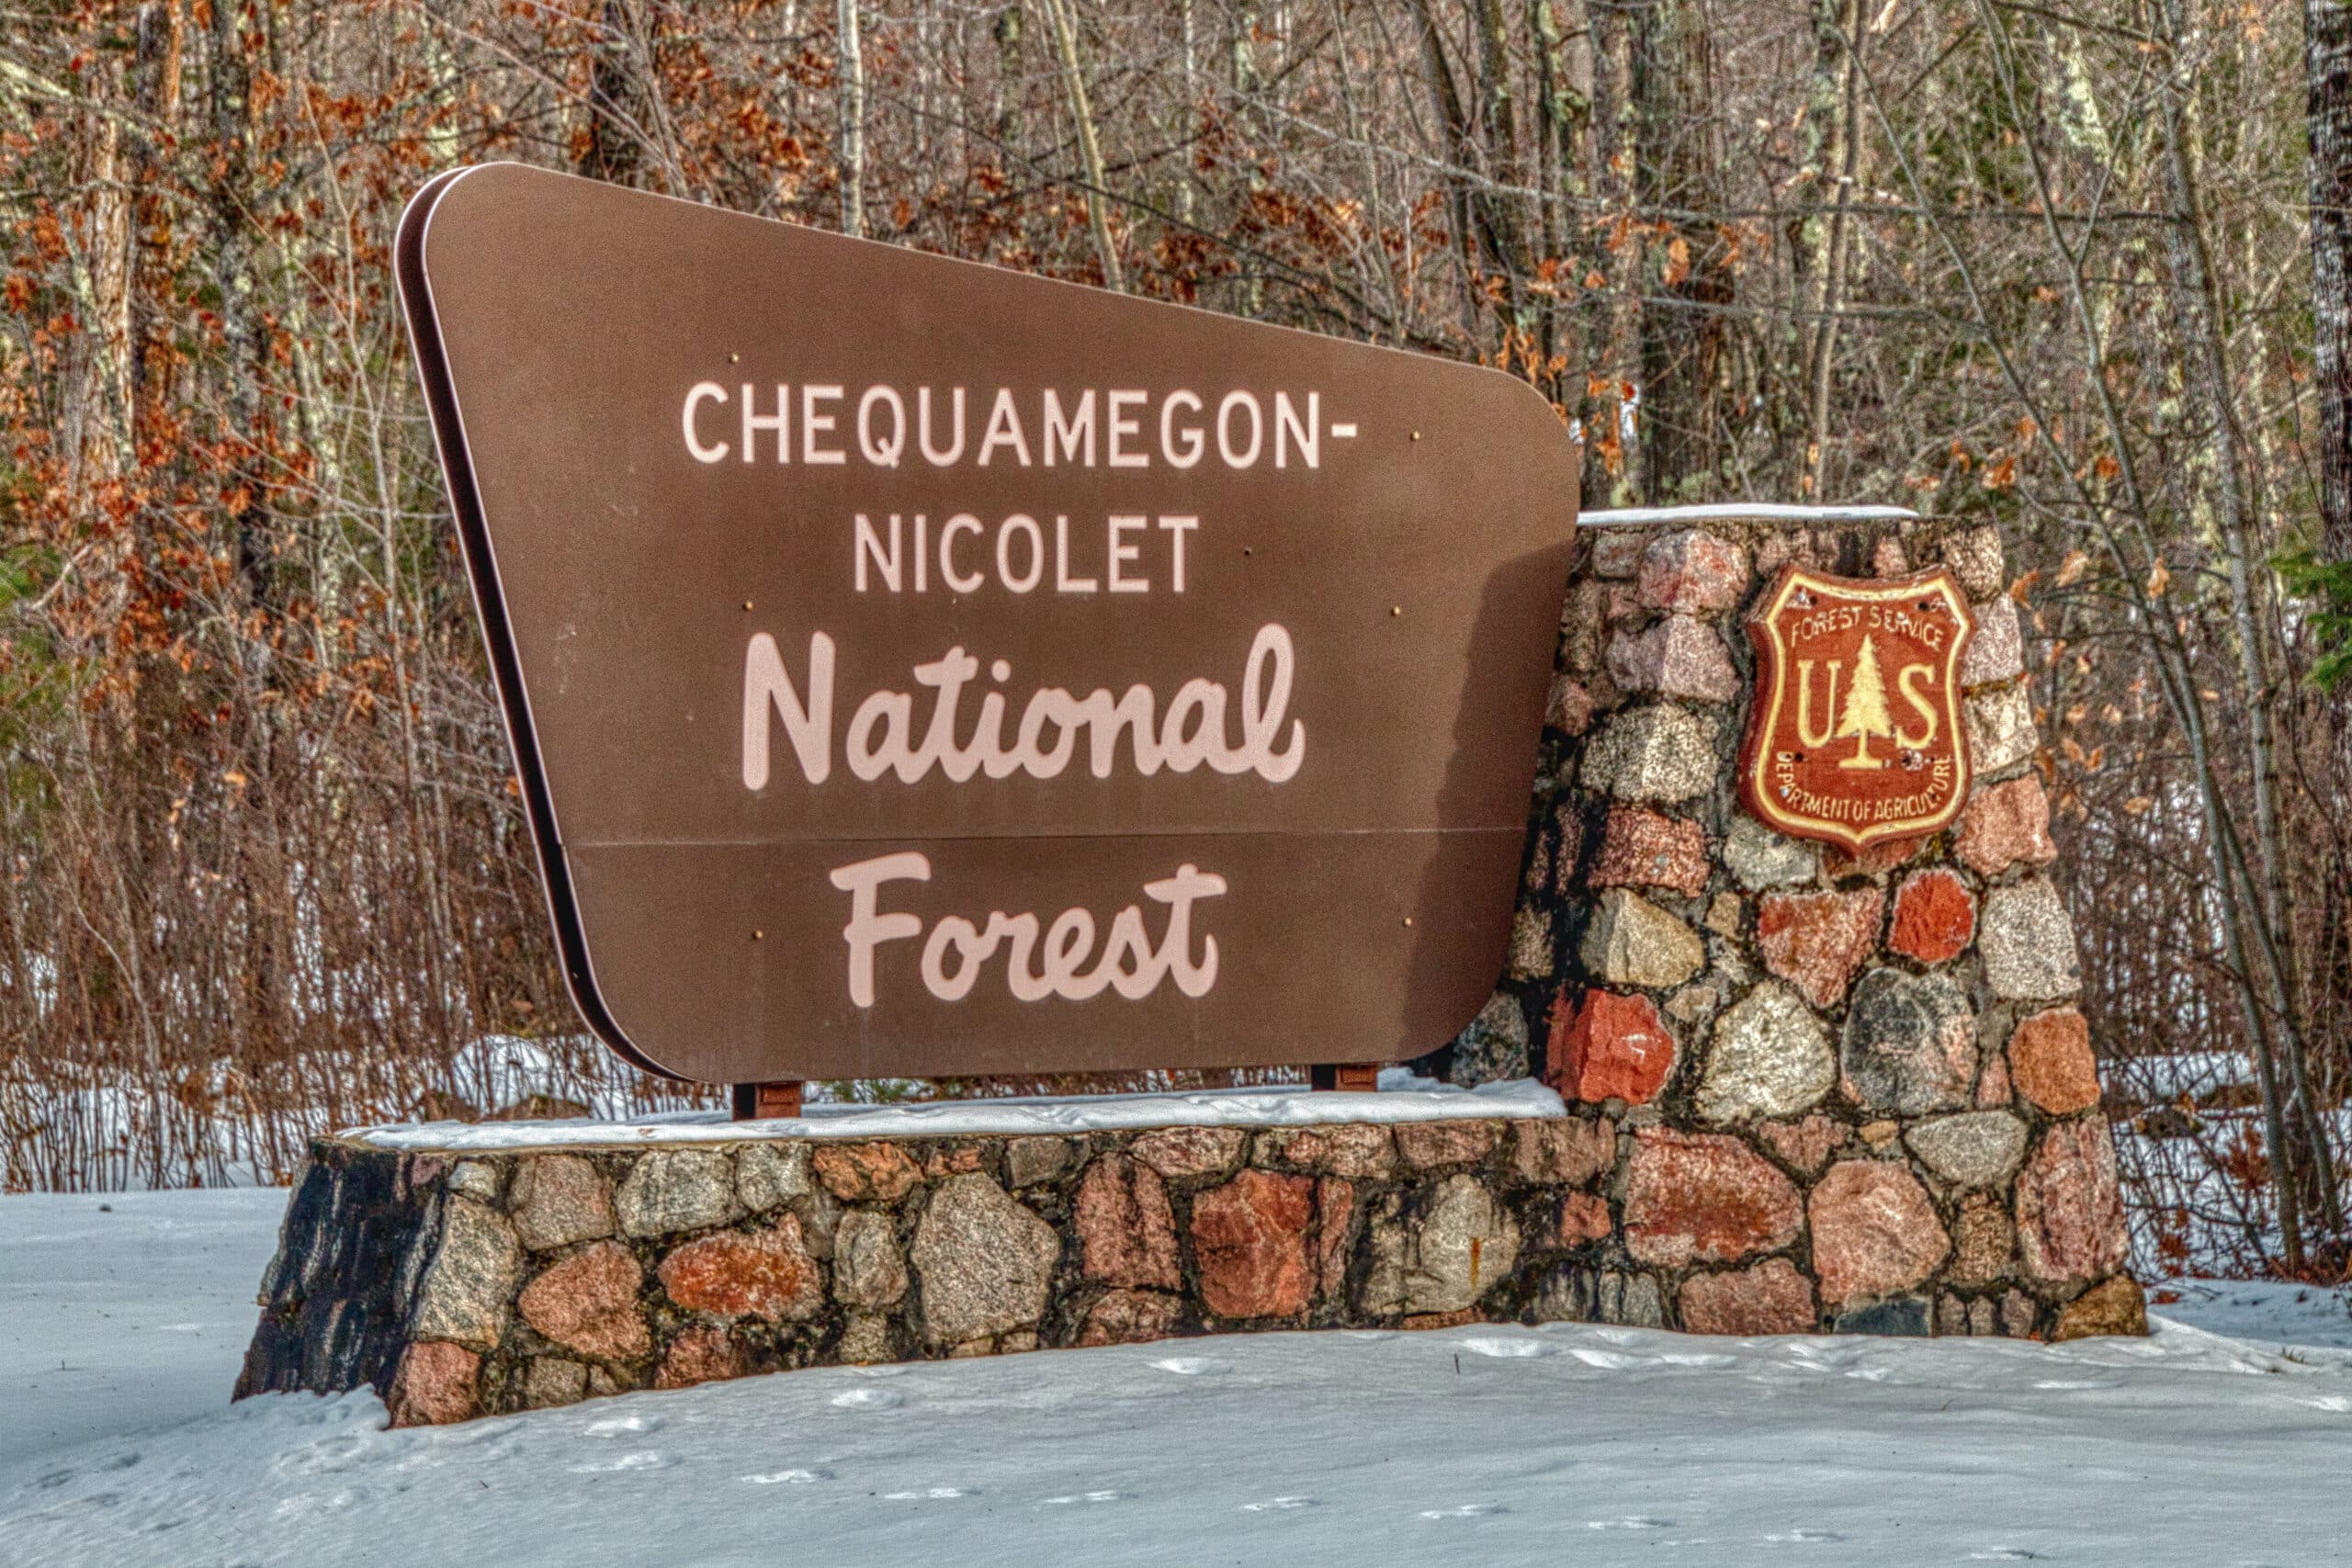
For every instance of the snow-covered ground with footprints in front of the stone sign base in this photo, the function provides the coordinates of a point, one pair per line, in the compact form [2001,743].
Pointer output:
[1575,1445]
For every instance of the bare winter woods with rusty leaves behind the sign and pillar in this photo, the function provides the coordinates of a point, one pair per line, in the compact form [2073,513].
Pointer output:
[2078,269]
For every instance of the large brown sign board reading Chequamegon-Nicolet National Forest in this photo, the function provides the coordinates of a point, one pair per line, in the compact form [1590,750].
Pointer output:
[921,669]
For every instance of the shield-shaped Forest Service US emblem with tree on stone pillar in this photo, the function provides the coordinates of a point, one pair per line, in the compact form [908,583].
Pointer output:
[1857,728]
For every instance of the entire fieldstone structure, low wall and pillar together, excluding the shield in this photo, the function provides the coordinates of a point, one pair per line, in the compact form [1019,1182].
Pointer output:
[1805,1092]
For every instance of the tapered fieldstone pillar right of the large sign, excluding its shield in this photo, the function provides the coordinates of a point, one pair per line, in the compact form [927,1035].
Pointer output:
[1855,1092]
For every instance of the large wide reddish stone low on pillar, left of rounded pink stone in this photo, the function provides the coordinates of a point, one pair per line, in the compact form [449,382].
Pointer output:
[1704,1198]
